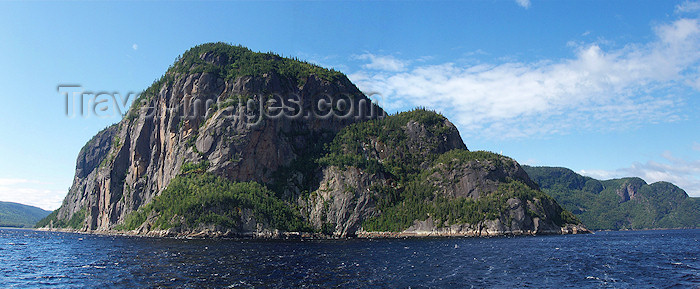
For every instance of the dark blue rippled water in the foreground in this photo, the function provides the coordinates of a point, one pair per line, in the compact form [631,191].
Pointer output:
[665,259]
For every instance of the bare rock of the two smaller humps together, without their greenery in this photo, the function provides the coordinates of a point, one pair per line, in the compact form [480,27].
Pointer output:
[346,196]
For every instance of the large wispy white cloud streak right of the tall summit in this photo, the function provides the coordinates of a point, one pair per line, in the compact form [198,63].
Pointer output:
[596,89]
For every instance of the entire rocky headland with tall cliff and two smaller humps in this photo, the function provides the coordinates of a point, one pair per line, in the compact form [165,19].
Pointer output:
[230,142]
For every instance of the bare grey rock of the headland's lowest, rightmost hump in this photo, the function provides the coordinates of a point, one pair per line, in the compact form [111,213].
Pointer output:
[483,178]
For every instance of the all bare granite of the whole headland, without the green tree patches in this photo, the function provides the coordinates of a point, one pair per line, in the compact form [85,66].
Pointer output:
[200,114]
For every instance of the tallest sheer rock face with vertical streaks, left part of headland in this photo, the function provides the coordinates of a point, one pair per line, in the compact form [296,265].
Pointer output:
[127,165]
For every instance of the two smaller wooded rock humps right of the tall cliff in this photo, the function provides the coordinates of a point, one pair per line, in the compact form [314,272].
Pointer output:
[411,175]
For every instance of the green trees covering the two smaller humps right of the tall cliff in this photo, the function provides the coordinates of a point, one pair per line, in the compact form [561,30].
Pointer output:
[410,154]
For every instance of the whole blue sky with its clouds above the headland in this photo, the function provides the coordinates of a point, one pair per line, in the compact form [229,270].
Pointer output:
[606,88]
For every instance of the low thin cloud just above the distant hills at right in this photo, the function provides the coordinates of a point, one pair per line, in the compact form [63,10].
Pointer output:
[680,172]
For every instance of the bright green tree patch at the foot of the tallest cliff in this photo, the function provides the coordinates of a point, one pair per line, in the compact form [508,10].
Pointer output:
[202,198]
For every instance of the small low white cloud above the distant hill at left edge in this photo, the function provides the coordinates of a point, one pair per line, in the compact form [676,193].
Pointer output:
[30,192]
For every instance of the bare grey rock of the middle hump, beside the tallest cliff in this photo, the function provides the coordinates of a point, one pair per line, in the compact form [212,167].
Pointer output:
[348,193]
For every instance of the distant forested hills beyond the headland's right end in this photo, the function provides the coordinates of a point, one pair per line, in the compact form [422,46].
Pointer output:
[627,203]
